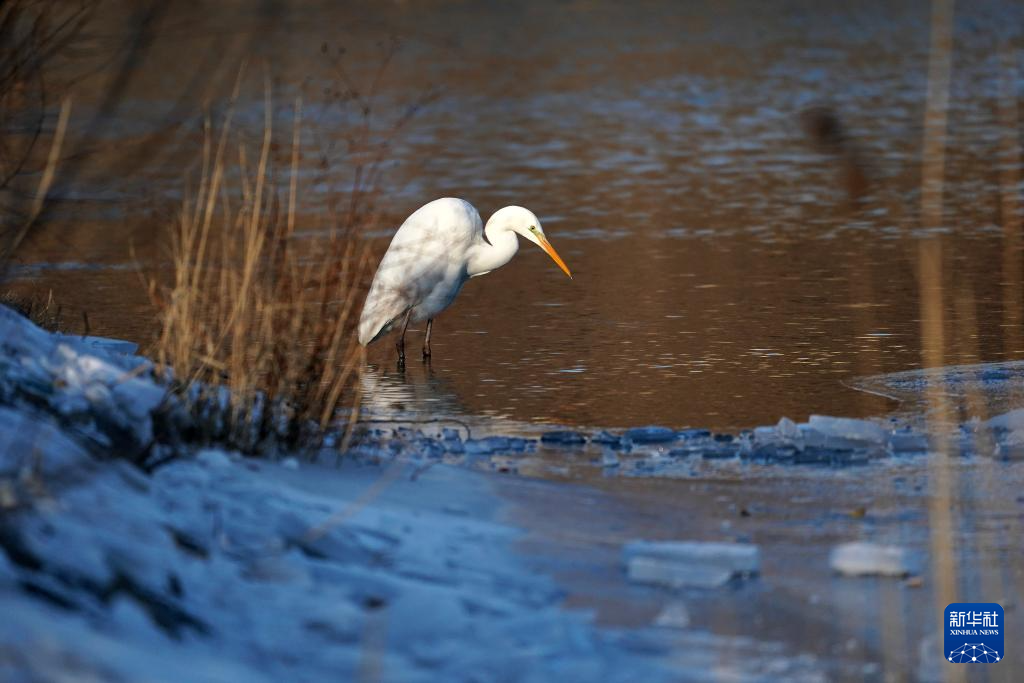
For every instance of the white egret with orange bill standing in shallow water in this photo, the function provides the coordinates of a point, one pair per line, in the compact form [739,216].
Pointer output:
[432,257]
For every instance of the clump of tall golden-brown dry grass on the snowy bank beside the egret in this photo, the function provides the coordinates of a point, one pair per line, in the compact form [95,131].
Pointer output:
[258,322]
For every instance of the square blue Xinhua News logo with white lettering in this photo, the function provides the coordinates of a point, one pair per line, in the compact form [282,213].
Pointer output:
[973,633]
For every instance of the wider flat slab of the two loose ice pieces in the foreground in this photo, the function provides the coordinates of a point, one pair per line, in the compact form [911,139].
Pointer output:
[690,565]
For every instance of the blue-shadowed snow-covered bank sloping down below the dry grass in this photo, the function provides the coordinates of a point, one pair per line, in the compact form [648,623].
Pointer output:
[218,568]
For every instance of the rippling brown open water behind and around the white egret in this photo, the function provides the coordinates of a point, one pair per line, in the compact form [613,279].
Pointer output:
[728,271]
